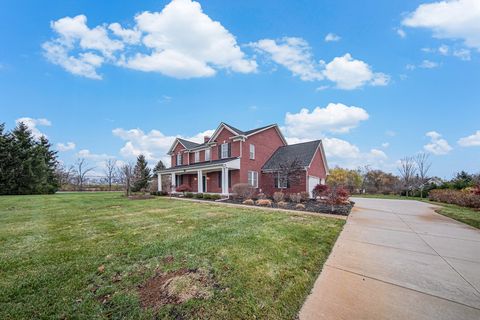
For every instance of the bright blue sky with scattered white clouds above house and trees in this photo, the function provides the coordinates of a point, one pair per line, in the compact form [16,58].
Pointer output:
[110,79]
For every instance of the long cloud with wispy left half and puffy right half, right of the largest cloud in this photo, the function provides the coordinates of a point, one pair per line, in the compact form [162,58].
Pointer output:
[296,55]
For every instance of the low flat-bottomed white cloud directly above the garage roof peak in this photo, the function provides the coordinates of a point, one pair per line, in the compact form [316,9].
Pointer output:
[335,117]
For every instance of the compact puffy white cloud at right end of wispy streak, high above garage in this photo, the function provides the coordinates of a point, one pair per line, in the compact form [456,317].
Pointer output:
[349,73]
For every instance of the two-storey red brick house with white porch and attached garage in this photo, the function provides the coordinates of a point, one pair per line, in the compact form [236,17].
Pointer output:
[232,156]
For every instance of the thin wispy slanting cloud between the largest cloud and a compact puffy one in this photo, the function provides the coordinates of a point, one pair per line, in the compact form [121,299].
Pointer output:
[294,54]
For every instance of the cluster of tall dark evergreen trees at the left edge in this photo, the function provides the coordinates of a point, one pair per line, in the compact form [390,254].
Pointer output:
[27,164]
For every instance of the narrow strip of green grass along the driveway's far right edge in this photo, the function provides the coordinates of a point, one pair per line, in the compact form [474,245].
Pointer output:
[463,214]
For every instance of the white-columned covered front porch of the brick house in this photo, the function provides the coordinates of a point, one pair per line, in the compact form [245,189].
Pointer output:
[207,177]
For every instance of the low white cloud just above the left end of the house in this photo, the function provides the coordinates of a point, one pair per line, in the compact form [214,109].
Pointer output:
[153,145]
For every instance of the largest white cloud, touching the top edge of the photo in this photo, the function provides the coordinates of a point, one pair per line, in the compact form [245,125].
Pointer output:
[181,41]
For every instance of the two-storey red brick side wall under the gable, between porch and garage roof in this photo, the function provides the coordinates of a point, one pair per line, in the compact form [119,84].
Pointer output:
[266,143]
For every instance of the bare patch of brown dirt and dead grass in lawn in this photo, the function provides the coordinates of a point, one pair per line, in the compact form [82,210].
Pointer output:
[176,287]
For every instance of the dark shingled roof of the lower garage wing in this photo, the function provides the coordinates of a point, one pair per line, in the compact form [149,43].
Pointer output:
[303,152]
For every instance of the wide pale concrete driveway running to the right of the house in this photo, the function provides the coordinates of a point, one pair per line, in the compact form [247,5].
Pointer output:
[398,259]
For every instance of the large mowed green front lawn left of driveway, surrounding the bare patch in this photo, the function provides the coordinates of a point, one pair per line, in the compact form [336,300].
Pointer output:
[263,263]
